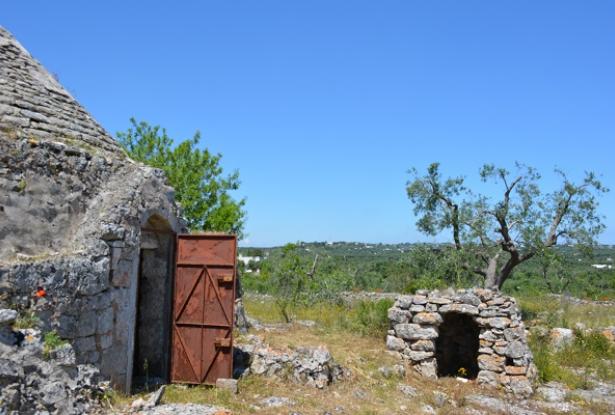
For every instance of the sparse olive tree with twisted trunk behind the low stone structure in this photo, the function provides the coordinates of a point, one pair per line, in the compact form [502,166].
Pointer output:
[495,235]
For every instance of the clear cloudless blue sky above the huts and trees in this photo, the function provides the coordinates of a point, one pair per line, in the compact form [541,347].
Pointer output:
[324,105]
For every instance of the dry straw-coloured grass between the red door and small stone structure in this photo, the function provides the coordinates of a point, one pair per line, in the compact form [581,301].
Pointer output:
[366,392]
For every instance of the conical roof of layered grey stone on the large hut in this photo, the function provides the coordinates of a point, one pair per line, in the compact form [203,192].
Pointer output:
[34,105]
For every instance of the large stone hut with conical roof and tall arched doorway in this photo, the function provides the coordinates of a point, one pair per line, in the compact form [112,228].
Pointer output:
[82,221]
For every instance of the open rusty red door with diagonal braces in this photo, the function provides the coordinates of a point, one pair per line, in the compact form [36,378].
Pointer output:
[203,305]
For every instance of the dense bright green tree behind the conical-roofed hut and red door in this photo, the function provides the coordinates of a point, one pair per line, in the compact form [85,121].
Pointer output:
[196,175]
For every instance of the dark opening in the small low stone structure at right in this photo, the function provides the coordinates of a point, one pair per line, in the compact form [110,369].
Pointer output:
[457,346]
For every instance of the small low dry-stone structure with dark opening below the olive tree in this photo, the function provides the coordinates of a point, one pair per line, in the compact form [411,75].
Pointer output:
[476,334]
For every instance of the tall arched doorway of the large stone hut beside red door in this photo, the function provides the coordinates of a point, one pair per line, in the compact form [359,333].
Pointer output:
[153,314]
